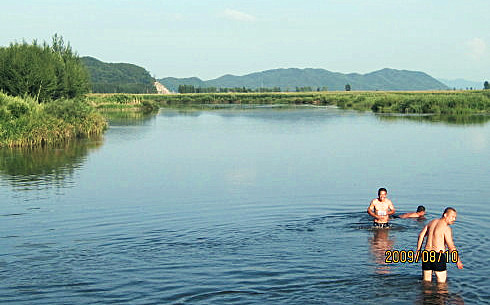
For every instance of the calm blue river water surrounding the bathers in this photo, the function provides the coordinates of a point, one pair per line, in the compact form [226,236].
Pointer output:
[243,206]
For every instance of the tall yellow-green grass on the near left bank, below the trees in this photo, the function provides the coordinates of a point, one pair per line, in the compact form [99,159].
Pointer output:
[26,123]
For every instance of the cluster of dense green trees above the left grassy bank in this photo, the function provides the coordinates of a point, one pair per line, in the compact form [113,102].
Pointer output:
[45,72]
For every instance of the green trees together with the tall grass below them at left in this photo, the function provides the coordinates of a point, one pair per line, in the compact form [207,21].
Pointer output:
[42,90]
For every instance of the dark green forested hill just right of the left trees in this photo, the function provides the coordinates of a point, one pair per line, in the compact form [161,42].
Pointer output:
[118,77]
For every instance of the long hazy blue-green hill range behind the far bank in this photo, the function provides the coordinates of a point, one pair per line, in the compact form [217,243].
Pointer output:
[290,79]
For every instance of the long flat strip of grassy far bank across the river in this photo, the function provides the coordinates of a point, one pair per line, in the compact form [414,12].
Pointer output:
[437,102]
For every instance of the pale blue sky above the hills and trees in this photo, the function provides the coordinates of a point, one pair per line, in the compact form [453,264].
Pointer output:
[210,38]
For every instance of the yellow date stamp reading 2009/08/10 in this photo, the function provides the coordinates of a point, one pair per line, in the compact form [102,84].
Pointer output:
[410,256]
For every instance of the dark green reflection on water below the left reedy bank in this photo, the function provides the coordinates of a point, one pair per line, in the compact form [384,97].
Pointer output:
[44,167]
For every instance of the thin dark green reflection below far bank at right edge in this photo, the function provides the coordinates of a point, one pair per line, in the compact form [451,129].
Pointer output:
[447,119]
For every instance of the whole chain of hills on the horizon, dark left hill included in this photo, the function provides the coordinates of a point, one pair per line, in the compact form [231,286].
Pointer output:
[130,78]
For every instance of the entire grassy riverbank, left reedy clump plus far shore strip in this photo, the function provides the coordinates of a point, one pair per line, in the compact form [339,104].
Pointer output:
[24,122]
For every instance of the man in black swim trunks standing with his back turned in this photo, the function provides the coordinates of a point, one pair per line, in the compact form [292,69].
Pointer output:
[439,235]
